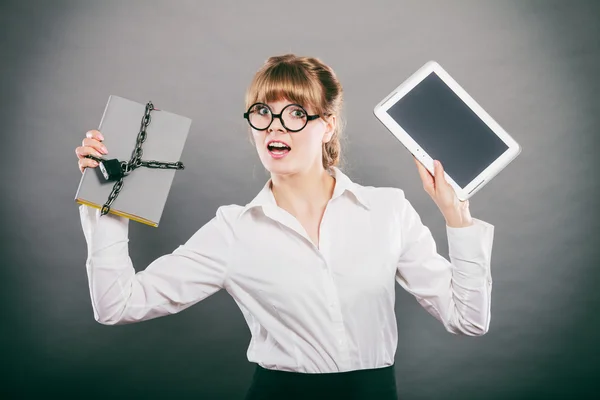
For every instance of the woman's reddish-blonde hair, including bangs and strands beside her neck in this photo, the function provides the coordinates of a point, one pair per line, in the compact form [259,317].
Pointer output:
[306,81]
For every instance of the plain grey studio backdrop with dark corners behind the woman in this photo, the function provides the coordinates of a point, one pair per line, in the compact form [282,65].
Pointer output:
[532,65]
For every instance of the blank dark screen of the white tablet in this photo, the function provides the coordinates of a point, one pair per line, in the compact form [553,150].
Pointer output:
[446,128]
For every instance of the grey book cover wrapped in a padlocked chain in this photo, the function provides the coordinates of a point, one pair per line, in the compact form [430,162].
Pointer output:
[145,190]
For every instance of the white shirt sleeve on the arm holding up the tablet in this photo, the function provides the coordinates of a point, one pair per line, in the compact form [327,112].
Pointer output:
[456,292]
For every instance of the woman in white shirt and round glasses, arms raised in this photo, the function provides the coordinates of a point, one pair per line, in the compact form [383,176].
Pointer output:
[312,261]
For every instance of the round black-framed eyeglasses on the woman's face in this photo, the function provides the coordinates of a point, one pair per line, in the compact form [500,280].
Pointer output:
[293,117]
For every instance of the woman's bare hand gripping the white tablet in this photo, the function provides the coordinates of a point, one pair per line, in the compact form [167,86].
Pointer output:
[455,211]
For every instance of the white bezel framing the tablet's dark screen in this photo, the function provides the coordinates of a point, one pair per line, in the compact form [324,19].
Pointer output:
[404,88]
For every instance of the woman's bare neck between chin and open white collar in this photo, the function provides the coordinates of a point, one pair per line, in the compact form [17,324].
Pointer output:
[303,192]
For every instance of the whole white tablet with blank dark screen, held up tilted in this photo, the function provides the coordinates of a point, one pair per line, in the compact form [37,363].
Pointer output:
[435,118]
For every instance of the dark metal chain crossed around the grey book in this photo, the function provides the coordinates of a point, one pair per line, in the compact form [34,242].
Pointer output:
[136,160]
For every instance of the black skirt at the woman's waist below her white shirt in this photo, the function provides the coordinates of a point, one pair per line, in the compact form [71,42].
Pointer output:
[371,384]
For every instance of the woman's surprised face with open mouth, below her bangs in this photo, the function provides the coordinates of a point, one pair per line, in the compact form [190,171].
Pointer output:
[305,146]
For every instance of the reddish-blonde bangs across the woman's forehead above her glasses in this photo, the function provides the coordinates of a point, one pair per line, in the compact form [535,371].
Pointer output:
[285,81]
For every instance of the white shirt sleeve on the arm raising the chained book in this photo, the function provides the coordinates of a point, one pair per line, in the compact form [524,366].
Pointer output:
[171,283]
